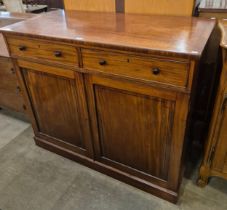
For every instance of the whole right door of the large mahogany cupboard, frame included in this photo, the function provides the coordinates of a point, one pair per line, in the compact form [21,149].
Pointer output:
[133,128]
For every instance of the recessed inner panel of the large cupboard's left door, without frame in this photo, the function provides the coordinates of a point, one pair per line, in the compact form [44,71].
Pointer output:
[54,116]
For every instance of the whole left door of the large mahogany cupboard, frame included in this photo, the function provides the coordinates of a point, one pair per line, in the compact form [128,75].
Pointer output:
[58,108]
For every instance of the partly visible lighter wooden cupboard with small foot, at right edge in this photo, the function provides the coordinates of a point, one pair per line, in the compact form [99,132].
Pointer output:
[215,158]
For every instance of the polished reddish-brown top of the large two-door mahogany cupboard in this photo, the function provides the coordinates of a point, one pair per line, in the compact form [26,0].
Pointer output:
[169,35]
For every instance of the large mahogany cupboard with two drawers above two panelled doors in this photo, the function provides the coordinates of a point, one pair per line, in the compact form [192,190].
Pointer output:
[107,95]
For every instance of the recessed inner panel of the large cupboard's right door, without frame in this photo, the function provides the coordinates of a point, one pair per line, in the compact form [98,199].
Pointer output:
[135,129]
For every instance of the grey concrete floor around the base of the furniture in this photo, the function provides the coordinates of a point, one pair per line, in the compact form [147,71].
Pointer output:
[34,179]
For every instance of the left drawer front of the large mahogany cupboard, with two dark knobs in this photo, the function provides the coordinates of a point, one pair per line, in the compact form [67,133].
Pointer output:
[41,49]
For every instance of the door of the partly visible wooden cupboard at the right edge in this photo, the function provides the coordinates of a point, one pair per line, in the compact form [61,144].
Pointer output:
[220,156]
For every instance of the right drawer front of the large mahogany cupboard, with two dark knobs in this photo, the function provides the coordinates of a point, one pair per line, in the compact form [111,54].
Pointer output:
[146,68]
